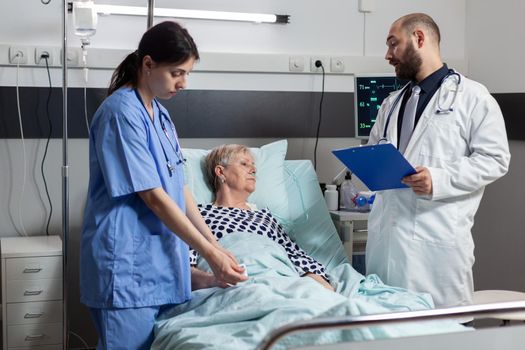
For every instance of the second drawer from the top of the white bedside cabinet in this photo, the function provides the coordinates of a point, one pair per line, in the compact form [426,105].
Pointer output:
[33,290]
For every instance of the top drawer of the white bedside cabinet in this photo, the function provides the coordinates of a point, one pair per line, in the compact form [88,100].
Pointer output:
[33,268]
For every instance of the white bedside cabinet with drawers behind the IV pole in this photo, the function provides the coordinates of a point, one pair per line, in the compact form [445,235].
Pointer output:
[32,292]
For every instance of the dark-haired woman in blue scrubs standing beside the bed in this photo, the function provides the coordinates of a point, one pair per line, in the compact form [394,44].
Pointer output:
[139,217]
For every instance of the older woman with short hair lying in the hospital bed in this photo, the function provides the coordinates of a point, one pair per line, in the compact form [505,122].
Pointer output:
[230,169]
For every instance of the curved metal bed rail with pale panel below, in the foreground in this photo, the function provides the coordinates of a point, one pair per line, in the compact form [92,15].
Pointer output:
[508,338]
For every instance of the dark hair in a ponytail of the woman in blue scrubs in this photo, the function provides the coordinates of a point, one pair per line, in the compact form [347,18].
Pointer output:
[165,43]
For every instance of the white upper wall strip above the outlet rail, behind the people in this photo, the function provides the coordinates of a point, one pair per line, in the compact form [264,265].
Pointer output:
[333,26]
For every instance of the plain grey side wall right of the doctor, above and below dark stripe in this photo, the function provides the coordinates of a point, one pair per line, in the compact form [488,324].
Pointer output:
[496,55]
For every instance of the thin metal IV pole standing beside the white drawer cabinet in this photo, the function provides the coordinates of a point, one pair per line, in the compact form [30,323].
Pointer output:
[65,182]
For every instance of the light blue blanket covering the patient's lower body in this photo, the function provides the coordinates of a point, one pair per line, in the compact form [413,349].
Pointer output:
[239,317]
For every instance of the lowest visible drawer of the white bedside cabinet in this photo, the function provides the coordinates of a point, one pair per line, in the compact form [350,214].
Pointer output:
[30,335]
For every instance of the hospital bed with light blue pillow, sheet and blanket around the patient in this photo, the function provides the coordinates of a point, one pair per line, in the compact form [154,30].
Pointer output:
[240,317]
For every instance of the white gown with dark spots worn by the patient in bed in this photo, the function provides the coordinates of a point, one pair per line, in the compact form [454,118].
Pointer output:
[223,221]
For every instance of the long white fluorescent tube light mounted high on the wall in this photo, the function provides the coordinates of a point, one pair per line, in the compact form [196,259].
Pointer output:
[194,14]
